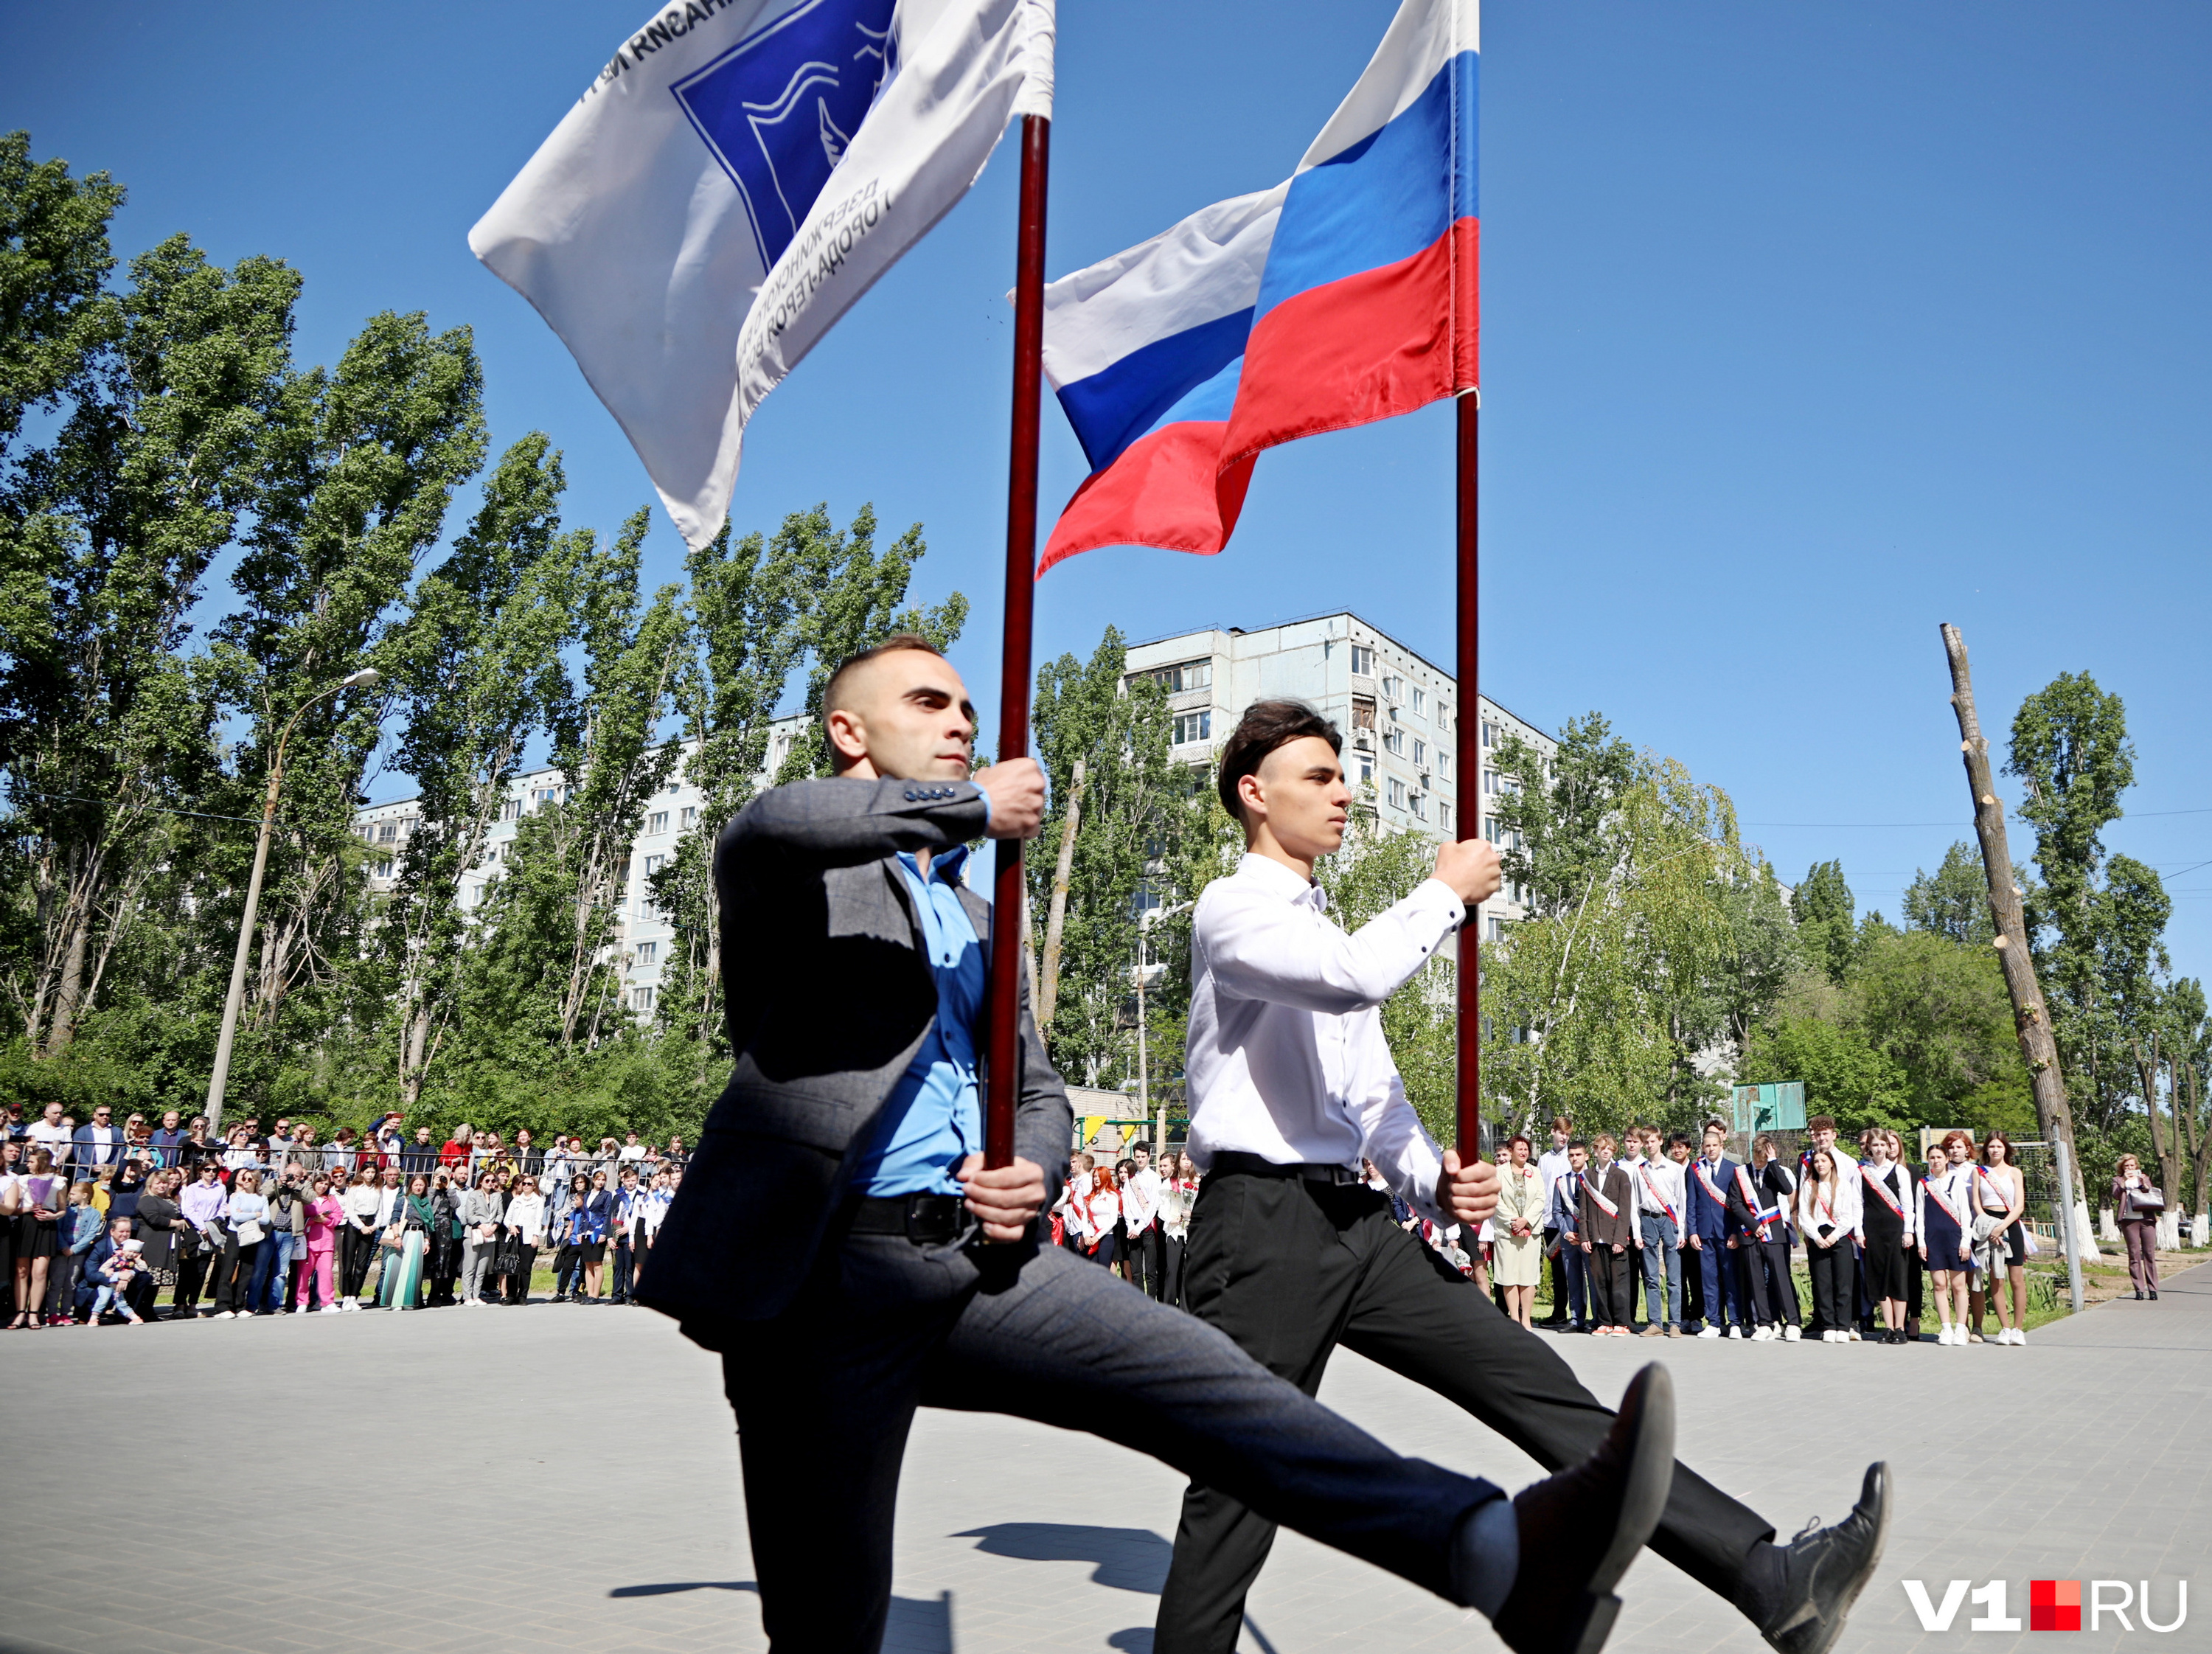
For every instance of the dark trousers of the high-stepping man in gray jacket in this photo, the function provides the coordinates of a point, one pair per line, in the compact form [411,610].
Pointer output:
[826,1396]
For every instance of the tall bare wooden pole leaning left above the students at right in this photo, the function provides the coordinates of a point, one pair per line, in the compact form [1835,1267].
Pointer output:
[2012,945]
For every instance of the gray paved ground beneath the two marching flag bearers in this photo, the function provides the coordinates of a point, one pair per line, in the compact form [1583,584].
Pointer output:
[567,1478]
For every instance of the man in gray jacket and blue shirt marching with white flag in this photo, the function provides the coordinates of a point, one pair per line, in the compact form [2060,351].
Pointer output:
[842,1246]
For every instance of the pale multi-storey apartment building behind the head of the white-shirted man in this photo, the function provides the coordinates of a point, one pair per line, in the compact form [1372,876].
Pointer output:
[1397,709]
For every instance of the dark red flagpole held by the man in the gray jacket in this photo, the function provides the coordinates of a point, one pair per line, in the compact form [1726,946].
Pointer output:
[1003,1058]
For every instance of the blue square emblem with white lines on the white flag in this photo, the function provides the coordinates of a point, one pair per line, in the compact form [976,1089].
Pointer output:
[784,103]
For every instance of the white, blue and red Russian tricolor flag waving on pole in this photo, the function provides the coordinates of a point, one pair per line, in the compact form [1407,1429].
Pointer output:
[1342,297]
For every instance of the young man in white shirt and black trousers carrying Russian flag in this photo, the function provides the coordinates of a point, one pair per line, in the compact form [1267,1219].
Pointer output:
[1291,1253]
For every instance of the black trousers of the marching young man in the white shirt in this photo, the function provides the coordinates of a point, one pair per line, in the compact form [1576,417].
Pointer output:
[1293,1270]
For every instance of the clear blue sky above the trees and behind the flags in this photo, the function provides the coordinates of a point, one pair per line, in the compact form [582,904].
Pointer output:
[1806,328]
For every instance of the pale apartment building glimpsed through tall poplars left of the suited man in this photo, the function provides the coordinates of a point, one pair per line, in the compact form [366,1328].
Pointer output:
[643,936]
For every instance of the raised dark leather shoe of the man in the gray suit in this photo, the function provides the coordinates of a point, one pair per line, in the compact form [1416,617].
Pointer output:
[1580,1529]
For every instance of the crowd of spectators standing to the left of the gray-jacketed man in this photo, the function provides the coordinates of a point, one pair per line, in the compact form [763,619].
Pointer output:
[105,1219]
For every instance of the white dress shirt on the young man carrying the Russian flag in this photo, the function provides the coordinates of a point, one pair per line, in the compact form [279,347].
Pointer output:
[1286,1056]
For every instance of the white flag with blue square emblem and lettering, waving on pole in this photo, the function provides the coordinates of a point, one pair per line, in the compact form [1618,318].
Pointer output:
[733,182]
